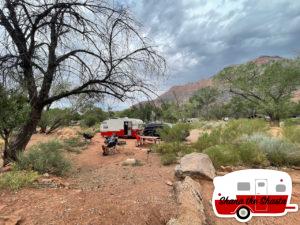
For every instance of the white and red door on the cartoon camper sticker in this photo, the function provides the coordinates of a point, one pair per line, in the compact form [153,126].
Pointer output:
[261,190]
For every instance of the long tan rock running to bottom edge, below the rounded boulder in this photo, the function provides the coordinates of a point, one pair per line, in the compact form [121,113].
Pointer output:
[191,209]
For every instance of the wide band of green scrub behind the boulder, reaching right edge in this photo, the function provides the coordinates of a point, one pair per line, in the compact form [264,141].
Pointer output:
[240,142]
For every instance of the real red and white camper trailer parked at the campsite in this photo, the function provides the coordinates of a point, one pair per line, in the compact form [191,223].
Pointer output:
[122,127]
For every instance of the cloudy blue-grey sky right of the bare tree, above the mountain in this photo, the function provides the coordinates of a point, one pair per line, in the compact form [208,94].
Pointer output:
[200,37]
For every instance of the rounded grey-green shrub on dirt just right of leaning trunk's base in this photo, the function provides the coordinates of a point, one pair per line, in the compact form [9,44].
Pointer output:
[45,158]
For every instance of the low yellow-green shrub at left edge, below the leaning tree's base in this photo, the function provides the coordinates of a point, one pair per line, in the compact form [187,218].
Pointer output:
[15,180]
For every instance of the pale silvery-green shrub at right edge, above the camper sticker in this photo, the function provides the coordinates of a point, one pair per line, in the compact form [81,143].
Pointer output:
[279,152]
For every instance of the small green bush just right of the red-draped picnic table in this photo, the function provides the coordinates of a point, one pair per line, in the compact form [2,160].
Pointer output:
[178,132]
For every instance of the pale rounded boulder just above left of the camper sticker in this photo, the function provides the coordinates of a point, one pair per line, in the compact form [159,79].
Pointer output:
[196,165]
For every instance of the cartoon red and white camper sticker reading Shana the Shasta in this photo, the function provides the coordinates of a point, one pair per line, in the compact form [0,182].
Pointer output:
[254,192]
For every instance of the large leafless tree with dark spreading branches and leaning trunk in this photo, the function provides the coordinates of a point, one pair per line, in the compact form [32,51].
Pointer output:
[97,49]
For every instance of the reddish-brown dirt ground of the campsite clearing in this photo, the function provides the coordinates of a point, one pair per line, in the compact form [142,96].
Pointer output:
[103,191]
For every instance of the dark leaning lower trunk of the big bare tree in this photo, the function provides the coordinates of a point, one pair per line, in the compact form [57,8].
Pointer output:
[23,136]
